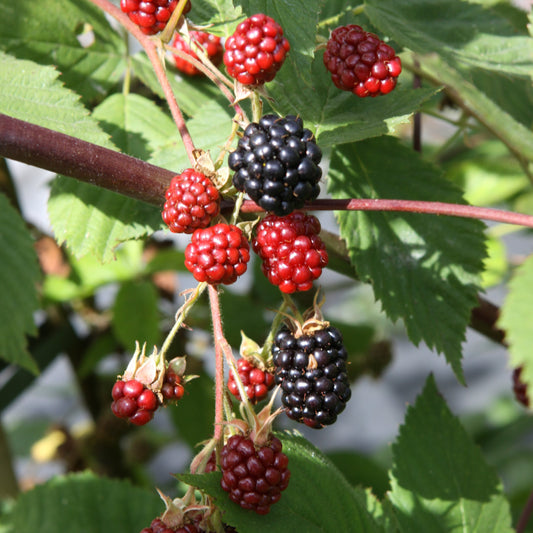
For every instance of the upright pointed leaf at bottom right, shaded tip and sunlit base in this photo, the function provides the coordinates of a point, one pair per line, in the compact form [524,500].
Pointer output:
[440,480]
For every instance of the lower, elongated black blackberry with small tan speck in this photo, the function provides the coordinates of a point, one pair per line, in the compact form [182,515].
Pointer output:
[311,370]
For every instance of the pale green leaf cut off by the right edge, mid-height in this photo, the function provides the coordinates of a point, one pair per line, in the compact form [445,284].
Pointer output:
[515,319]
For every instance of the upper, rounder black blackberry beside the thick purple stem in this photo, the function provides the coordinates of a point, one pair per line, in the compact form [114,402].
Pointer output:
[276,164]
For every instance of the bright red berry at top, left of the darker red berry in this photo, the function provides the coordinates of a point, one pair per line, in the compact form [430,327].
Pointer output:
[256,51]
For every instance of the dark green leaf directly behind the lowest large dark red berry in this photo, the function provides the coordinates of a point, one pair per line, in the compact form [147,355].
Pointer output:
[318,499]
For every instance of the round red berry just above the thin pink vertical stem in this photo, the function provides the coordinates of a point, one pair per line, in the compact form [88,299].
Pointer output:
[218,254]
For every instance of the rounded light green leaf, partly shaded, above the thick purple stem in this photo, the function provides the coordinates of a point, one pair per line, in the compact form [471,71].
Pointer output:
[135,124]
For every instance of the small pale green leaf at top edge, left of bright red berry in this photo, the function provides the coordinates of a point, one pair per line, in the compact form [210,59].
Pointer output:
[220,15]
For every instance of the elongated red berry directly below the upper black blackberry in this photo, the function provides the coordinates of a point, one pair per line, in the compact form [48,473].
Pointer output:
[292,253]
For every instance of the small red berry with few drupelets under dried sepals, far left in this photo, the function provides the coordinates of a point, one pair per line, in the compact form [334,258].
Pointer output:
[133,401]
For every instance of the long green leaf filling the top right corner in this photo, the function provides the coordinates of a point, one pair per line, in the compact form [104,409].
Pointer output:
[471,35]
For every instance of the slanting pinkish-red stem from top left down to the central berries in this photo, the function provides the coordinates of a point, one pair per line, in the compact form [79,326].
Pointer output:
[152,53]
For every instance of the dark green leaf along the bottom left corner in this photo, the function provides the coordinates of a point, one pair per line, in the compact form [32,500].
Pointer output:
[85,503]
